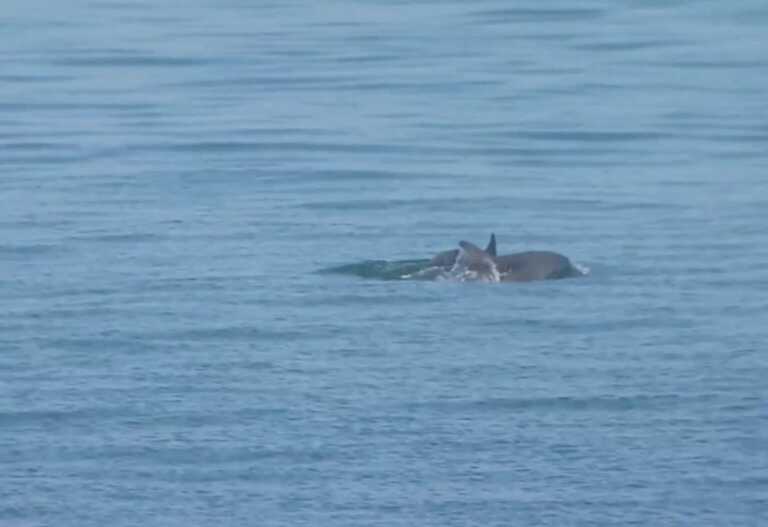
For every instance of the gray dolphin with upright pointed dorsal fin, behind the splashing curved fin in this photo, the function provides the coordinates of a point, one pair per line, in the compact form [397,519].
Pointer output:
[516,267]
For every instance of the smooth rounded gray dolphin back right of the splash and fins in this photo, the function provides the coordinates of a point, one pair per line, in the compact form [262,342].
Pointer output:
[534,265]
